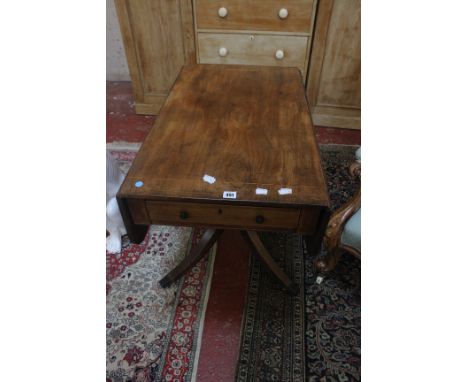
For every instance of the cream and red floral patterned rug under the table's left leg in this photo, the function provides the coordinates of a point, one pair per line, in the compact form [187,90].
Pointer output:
[154,334]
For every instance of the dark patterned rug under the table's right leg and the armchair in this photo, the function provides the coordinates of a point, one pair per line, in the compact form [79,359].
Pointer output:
[314,336]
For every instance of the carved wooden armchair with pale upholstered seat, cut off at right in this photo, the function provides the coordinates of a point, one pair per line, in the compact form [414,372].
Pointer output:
[343,233]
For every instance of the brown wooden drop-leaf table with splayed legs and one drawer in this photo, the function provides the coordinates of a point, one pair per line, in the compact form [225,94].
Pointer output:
[233,148]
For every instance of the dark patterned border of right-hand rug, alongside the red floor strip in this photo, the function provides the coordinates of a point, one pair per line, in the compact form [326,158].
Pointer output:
[269,331]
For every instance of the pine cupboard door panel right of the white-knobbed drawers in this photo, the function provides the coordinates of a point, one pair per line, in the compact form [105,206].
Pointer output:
[334,83]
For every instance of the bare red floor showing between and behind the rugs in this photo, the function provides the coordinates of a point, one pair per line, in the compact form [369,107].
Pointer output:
[223,319]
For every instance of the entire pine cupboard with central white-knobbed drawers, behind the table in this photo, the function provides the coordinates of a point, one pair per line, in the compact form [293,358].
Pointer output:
[319,37]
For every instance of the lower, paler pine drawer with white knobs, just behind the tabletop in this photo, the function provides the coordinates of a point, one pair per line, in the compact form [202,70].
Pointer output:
[254,49]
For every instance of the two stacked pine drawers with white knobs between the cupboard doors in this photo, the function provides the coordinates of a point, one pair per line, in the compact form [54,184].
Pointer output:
[247,32]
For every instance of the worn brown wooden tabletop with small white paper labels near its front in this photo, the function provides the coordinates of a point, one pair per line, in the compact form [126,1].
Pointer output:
[247,127]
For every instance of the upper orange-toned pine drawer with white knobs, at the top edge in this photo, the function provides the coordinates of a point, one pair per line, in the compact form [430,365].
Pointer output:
[264,15]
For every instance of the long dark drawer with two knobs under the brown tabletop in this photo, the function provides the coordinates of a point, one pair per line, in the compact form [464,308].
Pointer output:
[219,215]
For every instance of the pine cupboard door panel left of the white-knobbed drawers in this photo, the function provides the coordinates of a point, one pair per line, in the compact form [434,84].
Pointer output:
[158,37]
